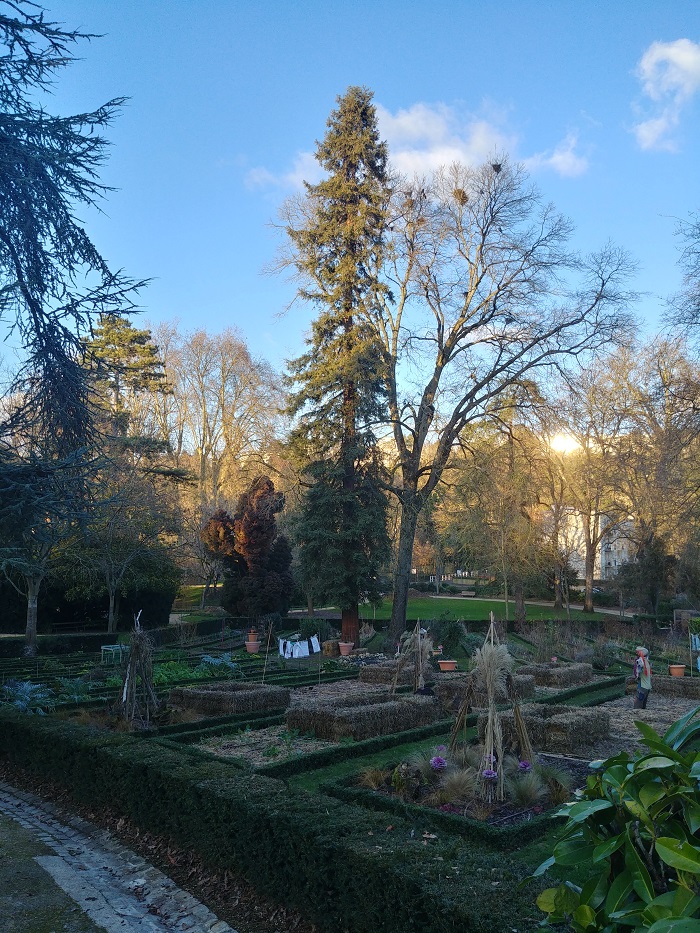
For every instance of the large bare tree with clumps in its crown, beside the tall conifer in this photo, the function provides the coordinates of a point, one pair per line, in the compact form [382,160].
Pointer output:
[486,291]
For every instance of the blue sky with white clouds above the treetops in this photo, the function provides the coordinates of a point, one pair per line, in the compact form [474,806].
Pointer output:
[227,97]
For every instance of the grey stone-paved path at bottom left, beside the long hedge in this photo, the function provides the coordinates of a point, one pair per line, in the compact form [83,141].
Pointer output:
[114,887]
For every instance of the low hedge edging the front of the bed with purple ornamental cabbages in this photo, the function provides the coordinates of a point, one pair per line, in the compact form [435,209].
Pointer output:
[505,838]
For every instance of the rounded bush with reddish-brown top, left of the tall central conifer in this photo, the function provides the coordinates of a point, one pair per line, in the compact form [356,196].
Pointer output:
[256,558]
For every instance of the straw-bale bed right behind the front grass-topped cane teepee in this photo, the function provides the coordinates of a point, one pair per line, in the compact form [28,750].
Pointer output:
[554,728]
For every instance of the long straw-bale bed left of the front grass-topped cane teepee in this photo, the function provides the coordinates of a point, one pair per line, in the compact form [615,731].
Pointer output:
[363,720]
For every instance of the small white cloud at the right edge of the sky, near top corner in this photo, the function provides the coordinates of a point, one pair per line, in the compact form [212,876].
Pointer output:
[670,77]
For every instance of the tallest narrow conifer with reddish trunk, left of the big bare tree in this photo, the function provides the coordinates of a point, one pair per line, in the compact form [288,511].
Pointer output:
[337,247]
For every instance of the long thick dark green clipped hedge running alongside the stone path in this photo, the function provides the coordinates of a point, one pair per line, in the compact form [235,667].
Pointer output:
[339,863]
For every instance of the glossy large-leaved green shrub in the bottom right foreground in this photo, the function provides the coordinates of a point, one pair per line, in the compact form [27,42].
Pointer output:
[635,828]
